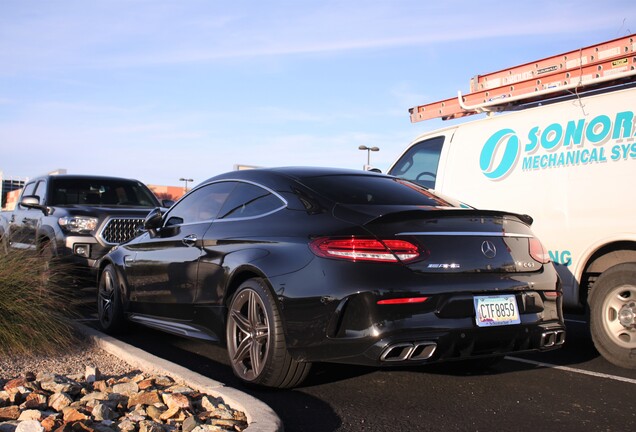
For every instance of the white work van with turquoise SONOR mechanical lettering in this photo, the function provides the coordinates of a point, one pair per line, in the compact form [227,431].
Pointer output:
[571,165]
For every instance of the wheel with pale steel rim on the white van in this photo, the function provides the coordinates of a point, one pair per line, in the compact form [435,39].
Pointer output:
[612,308]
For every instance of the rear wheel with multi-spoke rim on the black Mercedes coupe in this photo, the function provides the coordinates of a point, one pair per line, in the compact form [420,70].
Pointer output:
[256,341]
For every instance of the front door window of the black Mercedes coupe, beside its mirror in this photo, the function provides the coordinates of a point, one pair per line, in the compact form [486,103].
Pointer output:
[201,204]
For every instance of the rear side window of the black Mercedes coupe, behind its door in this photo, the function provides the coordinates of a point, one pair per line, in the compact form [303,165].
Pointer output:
[249,200]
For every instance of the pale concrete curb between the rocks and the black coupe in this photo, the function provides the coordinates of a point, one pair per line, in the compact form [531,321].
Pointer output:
[260,417]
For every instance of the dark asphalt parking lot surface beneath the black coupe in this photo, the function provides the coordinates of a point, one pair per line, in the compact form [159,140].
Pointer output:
[571,389]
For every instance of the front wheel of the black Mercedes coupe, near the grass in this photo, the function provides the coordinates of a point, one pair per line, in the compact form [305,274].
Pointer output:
[110,309]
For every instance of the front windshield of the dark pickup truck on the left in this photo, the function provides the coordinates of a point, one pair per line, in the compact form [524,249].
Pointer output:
[100,192]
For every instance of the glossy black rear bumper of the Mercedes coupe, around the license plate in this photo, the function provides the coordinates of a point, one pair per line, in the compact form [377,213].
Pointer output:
[347,325]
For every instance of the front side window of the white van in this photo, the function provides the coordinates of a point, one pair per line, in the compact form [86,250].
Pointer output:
[420,162]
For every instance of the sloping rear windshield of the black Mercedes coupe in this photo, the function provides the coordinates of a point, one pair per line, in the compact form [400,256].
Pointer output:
[367,189]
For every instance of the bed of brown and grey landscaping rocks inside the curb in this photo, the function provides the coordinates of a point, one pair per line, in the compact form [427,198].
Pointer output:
[89,402]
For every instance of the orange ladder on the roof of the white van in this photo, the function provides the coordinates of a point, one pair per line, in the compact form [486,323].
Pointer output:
[592,67]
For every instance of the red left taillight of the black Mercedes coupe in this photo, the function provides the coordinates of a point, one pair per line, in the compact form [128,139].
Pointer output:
[365,249]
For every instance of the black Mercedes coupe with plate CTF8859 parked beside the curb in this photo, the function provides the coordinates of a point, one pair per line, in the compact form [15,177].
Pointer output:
[290,266]
